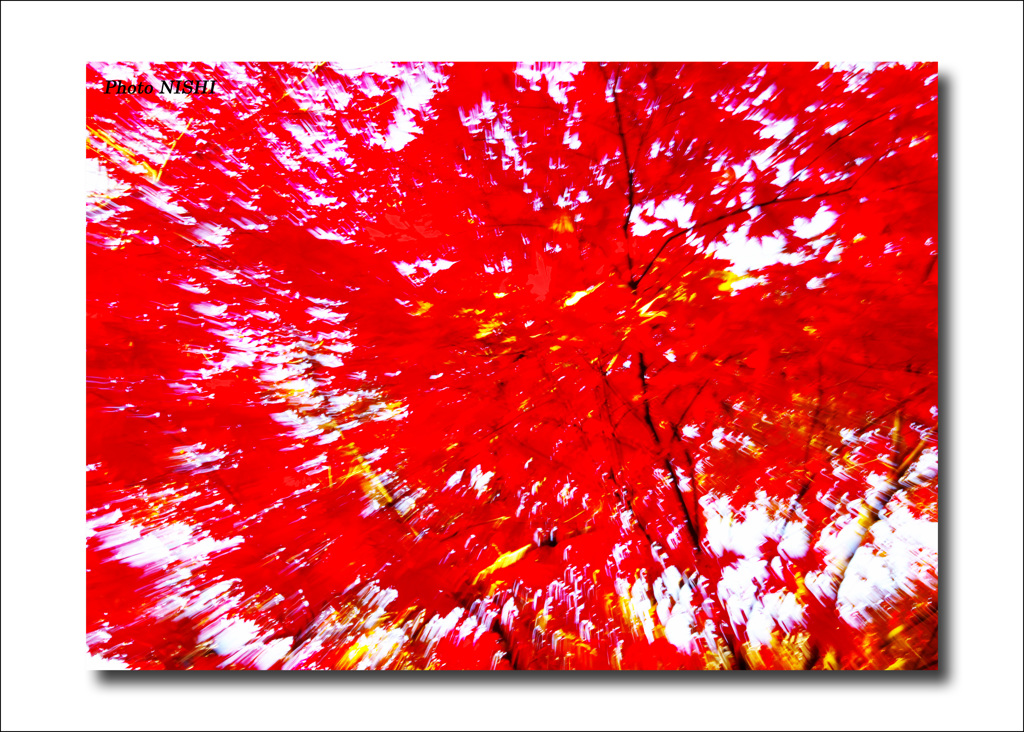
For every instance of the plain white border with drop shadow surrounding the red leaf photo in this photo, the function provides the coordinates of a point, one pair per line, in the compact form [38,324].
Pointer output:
[47,683]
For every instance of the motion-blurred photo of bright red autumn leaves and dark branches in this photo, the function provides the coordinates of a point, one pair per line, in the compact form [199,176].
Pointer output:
[494,366]
